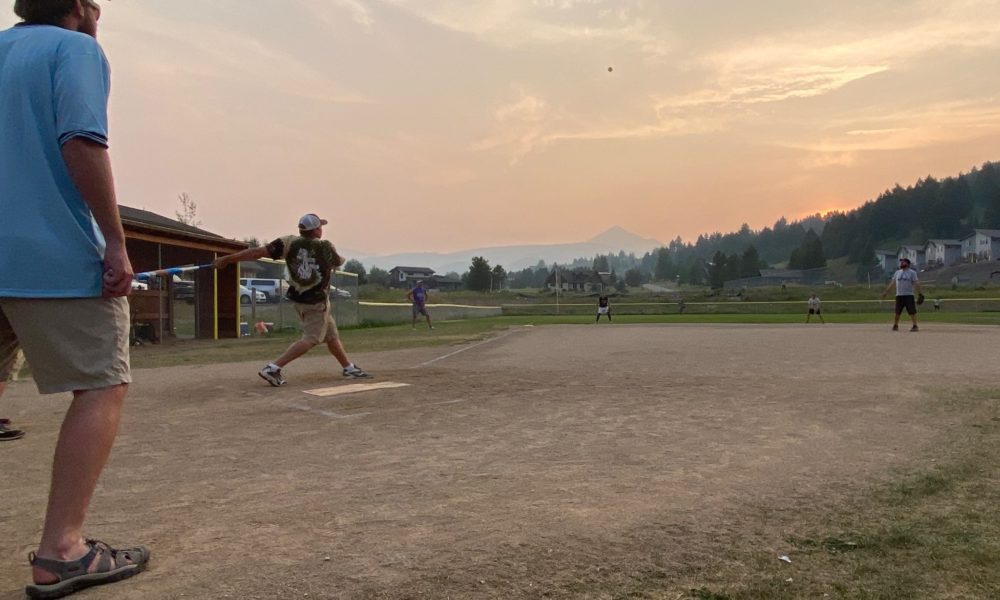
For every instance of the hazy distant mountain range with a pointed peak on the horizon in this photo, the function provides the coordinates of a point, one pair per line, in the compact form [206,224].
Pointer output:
[515,258]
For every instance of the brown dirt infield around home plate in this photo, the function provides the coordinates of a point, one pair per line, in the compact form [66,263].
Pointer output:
[556,462]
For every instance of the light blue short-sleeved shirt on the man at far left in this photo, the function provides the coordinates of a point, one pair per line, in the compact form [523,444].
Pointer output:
[54,86]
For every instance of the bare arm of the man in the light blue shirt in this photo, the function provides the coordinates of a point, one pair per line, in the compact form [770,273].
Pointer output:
[89,166]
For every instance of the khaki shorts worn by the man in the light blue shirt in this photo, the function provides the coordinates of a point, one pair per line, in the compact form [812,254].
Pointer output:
[70,343]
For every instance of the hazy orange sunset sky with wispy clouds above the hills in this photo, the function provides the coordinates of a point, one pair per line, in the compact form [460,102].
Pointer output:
[438,125]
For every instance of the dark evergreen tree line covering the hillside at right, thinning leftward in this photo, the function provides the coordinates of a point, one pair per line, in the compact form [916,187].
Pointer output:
[929,209]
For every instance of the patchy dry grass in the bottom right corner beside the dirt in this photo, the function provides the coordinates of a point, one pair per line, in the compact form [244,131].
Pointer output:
[929,534]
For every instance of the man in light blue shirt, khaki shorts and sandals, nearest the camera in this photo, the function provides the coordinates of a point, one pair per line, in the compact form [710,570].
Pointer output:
[64,271]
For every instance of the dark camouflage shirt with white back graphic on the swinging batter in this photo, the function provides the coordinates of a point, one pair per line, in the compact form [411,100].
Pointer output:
[309,262]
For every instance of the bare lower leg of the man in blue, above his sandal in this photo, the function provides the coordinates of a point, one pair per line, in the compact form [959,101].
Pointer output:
[88,432]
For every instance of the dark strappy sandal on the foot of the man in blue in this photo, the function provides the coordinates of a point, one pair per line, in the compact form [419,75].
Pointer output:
[112,565]
